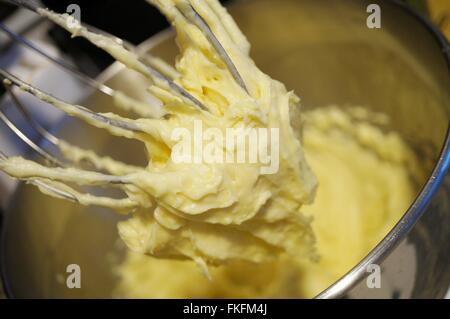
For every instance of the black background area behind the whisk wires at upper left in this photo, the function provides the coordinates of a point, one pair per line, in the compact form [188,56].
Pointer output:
[133,20]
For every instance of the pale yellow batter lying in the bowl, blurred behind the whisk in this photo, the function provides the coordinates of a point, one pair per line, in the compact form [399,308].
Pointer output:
[365,185]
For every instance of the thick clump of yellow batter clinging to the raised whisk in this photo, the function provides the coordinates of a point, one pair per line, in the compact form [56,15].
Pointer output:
[211,213]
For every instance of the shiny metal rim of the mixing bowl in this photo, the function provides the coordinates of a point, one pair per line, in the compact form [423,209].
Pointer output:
[389,242]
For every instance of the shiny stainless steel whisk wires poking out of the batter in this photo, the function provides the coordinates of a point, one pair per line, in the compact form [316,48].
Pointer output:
[160,74]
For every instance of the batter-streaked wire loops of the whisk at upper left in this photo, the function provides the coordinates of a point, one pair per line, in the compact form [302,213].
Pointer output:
[160,73]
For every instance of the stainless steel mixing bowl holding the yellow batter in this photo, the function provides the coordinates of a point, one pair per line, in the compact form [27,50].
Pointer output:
[323,50]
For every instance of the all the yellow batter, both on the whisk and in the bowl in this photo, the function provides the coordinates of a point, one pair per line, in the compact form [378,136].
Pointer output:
[252,234]
